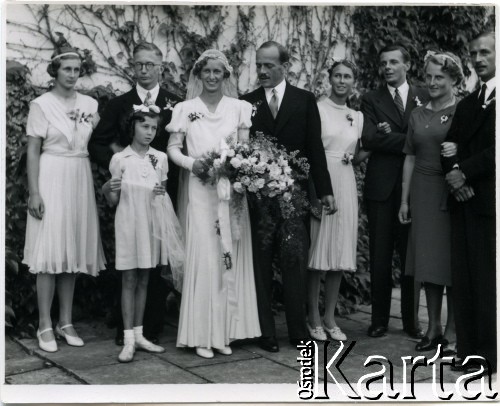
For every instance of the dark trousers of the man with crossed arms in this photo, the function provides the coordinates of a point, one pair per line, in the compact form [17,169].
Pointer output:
[386,234]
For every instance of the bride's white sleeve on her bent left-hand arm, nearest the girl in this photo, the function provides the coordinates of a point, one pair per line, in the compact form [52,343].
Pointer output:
[178,129]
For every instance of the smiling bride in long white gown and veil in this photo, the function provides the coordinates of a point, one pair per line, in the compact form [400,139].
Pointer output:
[218,305]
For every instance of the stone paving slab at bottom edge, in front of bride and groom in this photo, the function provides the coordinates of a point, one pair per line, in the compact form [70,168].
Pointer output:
[261,370]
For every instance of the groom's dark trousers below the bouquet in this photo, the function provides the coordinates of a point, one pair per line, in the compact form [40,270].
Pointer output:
[290,240]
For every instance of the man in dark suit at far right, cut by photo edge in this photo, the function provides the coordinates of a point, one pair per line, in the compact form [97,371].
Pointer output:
[471,178]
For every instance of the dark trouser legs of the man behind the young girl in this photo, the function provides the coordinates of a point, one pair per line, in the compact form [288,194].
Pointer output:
[156,302]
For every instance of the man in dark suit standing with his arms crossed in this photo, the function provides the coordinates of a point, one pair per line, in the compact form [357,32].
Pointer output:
[386,111]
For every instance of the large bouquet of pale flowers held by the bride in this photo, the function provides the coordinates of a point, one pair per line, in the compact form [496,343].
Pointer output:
[261,169]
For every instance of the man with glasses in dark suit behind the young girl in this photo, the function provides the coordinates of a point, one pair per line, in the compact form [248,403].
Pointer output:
[110,137]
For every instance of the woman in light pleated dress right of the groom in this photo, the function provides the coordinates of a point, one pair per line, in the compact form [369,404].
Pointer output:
[334,238]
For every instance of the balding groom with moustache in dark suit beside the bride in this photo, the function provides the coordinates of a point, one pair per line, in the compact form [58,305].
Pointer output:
[291,116]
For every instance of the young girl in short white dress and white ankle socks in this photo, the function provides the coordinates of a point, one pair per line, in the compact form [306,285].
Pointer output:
[147,232]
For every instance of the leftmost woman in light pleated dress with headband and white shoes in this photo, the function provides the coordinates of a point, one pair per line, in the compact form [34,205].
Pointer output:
[62,233]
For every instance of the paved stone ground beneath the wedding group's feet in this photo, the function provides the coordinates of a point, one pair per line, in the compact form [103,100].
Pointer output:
[96,363]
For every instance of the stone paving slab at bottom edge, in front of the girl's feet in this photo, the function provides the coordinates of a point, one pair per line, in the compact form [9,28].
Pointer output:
[149,371]
